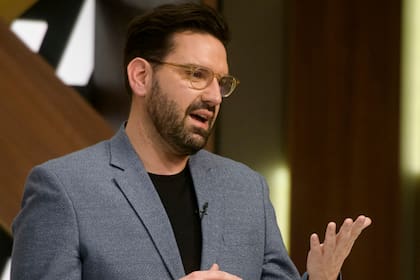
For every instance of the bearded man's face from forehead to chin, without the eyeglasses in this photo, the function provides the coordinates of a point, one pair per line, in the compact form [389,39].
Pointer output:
[182,115]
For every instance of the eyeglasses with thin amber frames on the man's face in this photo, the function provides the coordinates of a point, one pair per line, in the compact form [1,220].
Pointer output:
[201,77]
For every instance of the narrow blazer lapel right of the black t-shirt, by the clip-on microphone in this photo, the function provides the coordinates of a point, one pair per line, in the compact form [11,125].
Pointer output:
[208,192]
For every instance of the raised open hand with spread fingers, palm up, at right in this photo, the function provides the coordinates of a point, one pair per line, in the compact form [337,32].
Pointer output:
[325,259]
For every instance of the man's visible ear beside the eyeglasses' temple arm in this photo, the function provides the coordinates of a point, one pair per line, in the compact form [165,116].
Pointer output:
[139,74]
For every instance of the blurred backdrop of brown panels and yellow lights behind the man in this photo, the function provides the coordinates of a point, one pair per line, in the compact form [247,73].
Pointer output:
[328,110]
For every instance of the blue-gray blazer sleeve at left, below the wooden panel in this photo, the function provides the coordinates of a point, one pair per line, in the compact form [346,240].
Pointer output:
[45,231]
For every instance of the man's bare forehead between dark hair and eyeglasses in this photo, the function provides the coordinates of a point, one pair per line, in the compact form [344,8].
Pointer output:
[199,48]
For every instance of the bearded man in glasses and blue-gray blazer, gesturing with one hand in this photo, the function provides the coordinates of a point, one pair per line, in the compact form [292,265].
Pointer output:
[150,203]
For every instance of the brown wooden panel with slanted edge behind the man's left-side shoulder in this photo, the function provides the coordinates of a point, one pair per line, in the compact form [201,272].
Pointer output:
[40,118]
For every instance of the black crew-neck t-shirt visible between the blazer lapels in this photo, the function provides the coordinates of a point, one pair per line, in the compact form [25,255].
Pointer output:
[178,197]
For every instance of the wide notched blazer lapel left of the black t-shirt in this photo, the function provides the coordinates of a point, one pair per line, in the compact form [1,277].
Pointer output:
[137,187]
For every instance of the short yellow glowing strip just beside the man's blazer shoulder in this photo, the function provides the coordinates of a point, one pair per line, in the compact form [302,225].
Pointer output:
[279,181]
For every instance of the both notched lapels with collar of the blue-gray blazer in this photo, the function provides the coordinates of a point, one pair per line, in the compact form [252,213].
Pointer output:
[136,185]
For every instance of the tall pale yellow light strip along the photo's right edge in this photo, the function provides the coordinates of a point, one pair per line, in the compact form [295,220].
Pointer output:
[410,81]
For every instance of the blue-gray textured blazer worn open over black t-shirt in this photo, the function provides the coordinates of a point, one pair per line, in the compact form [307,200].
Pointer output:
[95,214]
